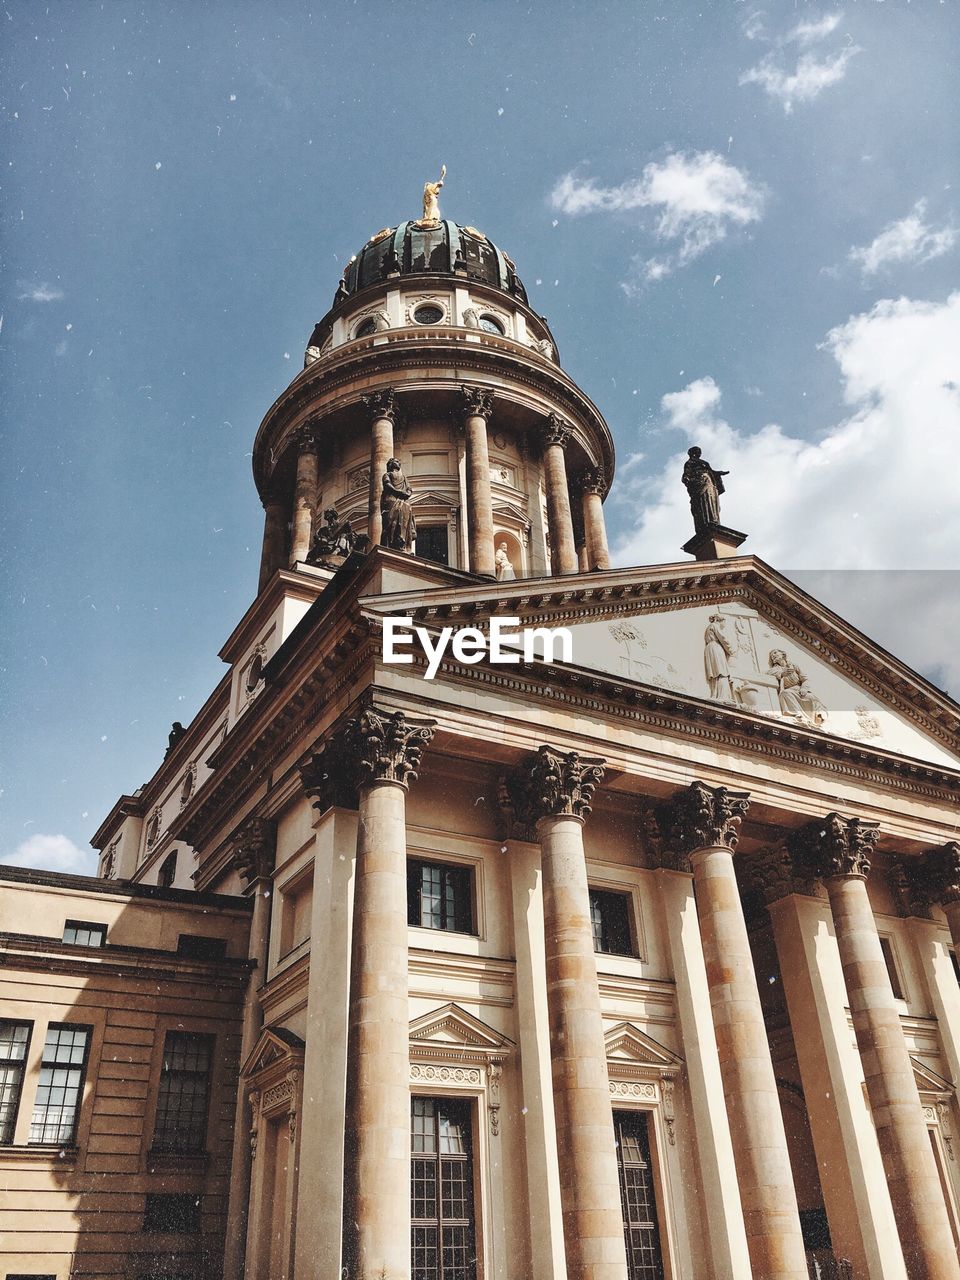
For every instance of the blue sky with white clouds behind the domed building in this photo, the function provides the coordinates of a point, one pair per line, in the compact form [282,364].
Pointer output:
[743,223]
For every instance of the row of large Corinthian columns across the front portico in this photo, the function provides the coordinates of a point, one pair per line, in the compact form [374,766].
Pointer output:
[693,835]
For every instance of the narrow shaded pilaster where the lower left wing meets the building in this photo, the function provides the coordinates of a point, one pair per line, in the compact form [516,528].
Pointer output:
[254,857]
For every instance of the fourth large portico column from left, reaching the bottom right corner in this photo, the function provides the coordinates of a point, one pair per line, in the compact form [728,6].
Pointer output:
[839,851]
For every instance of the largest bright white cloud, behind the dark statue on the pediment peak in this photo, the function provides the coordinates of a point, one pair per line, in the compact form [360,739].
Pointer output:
[876,491]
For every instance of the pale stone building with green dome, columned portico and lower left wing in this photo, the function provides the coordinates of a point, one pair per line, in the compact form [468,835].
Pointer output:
[501,916]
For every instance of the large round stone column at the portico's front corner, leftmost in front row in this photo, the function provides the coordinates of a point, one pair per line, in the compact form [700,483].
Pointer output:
[382,753]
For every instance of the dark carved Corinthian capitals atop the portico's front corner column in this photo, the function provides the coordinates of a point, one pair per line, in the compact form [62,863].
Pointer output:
[374,747]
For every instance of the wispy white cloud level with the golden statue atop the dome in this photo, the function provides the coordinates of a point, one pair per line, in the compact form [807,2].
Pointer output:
[694,198]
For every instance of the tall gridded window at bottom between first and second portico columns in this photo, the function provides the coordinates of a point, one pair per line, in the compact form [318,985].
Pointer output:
[444,1229]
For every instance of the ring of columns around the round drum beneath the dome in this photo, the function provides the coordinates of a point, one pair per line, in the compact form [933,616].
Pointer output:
[575,545]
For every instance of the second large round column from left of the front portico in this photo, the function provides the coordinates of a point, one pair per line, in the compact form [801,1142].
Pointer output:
[552,794]
